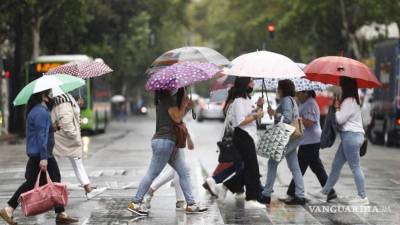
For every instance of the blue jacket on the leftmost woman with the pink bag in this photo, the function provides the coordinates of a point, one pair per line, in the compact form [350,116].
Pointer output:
[39,133]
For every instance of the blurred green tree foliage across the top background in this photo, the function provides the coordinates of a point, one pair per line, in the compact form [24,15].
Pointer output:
[119,31]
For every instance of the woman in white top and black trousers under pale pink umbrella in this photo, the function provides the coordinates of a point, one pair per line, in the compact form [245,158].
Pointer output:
[244,116]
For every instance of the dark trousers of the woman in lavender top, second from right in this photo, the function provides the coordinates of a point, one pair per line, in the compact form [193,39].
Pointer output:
[308,156]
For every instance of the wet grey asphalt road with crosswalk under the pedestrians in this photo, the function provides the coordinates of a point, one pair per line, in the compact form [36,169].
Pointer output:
[119,158]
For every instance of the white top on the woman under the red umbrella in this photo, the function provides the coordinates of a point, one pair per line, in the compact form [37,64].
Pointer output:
[349,117]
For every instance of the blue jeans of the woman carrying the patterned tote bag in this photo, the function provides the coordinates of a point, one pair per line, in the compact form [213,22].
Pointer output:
[293,164]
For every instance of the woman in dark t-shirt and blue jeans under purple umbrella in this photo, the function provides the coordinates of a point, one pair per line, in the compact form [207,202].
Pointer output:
[170,109]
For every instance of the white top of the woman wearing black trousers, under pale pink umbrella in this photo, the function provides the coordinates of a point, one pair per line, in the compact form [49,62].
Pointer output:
[241,108]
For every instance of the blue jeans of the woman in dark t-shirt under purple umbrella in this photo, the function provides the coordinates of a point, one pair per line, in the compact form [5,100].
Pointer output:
[162,151]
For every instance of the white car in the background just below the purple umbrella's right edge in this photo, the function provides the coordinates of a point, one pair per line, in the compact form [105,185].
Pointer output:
[210,110]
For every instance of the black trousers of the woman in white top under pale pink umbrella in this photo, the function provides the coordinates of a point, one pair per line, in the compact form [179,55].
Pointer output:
[250,175]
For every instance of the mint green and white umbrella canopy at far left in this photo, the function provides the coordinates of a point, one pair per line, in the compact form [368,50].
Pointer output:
[64,82]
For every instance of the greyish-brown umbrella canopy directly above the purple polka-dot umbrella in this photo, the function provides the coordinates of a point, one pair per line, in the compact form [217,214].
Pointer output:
[194,54]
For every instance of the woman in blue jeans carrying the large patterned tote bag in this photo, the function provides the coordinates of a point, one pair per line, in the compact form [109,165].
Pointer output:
[287,111]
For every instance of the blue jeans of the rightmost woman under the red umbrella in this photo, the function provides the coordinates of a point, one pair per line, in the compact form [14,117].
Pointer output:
[349,150]
